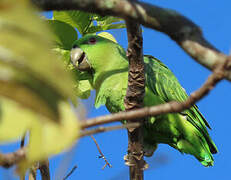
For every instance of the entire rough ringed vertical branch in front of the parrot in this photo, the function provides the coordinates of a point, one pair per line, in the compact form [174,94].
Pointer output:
[134,98]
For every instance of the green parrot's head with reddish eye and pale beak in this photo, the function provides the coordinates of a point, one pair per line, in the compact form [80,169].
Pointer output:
[96,53]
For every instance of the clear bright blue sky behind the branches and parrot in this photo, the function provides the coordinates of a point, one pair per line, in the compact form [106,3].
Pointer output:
[214,19]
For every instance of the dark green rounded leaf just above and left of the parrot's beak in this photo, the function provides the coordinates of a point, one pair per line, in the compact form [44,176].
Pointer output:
[64,34]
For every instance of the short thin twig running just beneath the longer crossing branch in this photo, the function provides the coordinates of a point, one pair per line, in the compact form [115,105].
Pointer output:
[105,129]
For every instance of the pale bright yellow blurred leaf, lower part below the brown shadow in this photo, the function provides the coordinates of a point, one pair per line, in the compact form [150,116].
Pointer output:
[46,137]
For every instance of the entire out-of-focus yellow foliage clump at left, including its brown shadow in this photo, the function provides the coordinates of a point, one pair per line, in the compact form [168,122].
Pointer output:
[34,85]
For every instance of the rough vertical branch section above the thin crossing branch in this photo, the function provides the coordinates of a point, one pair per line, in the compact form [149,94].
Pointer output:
[136,77]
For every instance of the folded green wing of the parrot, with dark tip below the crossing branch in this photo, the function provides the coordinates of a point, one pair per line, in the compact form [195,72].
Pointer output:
[164,84]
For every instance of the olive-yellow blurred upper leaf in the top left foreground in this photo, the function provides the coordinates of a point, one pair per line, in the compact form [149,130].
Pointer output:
[25,45]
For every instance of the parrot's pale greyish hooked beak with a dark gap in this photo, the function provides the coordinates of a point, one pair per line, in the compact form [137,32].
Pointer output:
[79,59]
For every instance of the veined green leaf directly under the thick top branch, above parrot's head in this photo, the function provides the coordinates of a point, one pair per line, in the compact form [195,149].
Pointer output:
[77,19]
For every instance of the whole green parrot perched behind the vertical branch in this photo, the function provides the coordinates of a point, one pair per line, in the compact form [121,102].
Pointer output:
[105,61]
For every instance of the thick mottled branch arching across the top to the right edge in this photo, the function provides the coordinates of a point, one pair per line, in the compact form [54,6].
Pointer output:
[182,30]
